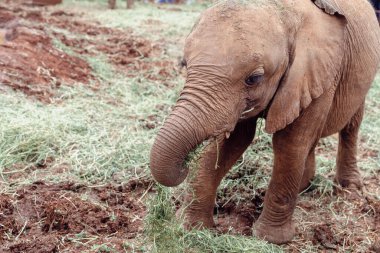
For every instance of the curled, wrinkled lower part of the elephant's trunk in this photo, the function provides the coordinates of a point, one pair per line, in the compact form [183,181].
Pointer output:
[176,139]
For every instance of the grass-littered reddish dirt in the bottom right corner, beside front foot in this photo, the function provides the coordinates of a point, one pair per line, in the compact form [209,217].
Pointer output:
[336,222]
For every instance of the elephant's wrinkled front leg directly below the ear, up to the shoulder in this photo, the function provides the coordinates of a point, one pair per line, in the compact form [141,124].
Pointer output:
[294,165]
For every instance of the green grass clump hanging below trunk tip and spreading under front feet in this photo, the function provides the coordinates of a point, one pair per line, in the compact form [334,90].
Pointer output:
[167,234]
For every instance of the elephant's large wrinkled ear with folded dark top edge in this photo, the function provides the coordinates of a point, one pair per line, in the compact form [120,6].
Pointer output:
[315,62]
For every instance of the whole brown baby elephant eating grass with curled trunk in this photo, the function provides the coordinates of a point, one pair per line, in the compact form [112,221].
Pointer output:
[305,66]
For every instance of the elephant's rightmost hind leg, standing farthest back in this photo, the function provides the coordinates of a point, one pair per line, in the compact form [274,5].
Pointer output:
[348,174]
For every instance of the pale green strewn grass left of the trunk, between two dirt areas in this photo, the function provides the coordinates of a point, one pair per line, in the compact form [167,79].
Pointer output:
[98,133]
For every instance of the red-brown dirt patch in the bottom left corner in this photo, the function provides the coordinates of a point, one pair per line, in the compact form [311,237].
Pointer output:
[45,218]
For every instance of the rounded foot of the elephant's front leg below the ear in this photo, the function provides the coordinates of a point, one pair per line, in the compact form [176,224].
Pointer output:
[273,233]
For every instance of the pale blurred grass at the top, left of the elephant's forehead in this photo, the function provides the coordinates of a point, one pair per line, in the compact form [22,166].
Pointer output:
[144,17]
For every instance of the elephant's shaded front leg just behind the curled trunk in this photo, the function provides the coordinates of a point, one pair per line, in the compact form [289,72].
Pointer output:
[200,202]
